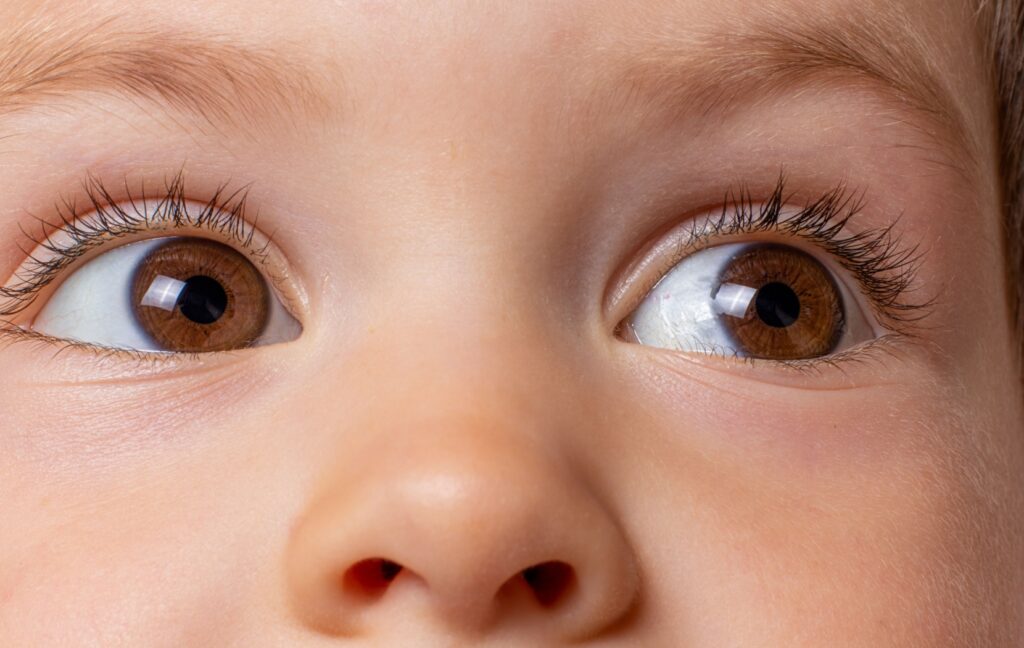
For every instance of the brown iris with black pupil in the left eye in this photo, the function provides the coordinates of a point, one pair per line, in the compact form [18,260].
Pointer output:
[196,295]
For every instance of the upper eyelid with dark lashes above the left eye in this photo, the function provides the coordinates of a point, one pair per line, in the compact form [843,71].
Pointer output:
[79,233]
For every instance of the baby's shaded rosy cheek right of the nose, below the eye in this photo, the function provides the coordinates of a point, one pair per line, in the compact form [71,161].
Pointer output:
[859,520]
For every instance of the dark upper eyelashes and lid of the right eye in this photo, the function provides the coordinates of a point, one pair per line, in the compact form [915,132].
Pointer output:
[885,269]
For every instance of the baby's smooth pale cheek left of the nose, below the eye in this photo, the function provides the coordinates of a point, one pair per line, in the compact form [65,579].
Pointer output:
[160,543]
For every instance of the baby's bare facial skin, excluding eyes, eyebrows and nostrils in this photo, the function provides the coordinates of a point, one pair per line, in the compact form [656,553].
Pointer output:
[459,403]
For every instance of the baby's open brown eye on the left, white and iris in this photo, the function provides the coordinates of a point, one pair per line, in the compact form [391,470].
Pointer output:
[187,295]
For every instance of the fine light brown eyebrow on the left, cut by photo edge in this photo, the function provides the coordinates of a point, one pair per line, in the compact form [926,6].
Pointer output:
[211,76]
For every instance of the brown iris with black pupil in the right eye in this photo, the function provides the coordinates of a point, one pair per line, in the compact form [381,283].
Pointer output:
[795,311]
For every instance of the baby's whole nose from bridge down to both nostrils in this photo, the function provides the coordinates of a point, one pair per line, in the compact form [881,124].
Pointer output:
[450,489]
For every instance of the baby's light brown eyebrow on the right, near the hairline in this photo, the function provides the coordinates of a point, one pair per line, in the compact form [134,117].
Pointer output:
[717,72]
